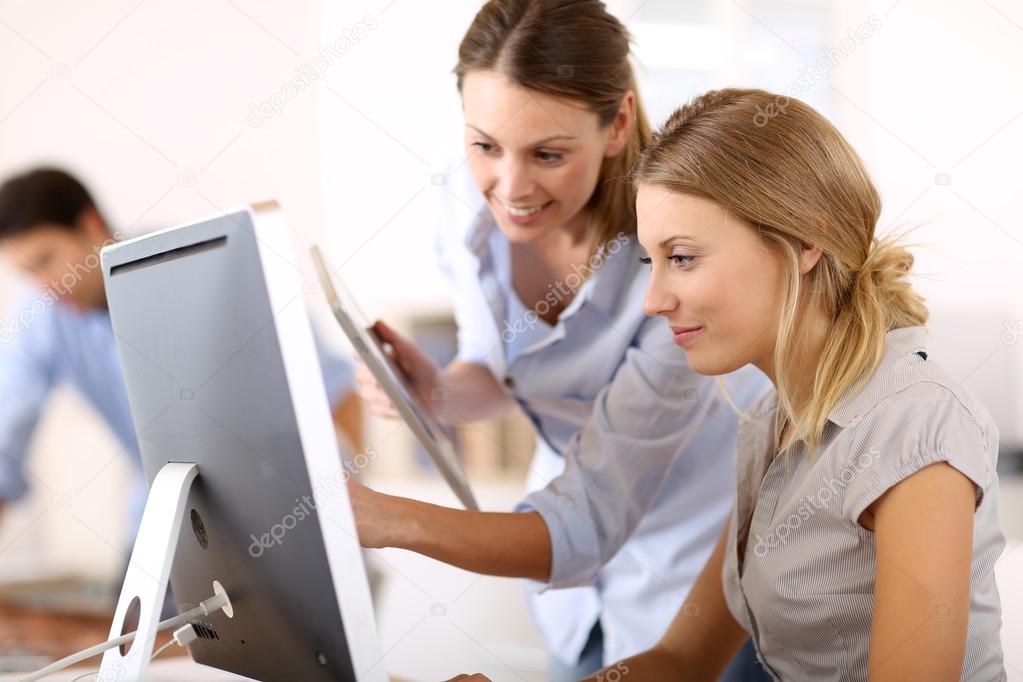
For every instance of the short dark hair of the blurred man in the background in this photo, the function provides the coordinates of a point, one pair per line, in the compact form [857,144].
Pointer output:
[42,197]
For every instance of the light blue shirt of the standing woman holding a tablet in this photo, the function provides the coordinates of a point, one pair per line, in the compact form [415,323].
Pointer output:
[635,469]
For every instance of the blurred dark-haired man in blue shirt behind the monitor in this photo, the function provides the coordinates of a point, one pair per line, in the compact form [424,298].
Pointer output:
[53,232]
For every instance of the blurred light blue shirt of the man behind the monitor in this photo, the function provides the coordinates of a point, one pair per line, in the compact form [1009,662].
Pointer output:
[48,343]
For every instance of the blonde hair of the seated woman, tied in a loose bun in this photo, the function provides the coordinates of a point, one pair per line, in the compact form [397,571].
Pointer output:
[778,164]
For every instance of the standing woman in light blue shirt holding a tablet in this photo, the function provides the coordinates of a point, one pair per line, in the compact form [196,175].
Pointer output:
[633,477]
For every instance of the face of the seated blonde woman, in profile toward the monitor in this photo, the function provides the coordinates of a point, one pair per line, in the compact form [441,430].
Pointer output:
[714,279]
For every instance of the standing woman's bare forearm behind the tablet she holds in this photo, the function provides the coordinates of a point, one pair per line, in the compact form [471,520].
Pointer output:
[469,392]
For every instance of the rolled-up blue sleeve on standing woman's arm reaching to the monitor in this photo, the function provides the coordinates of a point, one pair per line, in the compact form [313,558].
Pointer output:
[615,467]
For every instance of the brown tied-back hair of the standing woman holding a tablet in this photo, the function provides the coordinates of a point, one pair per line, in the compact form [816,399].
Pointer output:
[573,50]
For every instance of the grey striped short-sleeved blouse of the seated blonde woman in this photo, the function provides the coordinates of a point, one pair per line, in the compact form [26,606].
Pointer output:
[804,586]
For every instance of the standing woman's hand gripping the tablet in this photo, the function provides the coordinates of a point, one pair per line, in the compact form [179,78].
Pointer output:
[421,371]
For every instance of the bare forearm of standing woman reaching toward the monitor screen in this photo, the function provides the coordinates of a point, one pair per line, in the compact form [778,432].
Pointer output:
[510,545]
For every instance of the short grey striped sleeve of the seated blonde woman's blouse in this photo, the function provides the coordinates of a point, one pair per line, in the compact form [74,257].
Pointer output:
[922,425]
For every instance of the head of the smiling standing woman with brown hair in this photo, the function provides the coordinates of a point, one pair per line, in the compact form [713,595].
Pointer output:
[577,55]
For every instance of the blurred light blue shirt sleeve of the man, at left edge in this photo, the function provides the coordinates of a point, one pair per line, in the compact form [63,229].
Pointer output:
[27,376]
